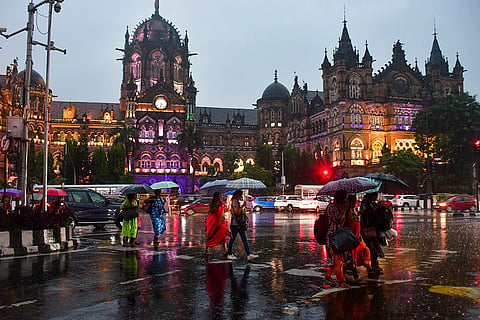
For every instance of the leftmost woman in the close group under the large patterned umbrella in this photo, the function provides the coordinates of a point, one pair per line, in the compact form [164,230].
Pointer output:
[335,218]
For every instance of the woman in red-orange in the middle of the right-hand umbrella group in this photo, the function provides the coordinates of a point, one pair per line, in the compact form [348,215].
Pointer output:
[352,221]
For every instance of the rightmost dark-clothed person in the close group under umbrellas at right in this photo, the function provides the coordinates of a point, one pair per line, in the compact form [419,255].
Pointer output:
[369,230]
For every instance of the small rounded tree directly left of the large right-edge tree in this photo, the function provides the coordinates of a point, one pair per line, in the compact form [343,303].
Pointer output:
[405,165]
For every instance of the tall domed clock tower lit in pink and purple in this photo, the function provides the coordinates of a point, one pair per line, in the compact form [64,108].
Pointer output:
[158,96]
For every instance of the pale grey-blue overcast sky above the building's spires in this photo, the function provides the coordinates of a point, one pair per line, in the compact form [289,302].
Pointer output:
[240,43]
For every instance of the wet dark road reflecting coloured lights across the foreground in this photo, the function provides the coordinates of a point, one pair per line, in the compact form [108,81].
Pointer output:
[432,271]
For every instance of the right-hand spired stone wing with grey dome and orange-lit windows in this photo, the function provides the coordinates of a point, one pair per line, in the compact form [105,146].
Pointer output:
[359,112]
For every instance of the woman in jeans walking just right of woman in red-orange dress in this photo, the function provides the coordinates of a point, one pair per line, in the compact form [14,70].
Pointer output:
[236,227]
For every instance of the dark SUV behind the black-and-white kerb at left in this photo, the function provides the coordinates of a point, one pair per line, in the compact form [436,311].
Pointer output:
[91,208]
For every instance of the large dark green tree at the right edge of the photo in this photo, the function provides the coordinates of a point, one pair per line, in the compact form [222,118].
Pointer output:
[447,130]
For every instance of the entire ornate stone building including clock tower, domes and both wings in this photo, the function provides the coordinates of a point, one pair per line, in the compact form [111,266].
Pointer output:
[357,114]
